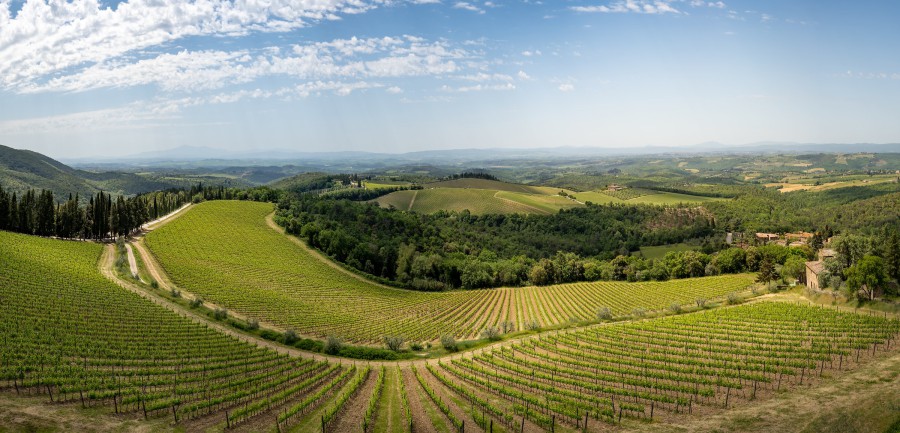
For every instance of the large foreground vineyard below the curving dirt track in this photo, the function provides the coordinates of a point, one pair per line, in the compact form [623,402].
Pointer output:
[73,337]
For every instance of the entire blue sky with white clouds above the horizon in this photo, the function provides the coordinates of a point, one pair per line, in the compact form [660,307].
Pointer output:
[88,78]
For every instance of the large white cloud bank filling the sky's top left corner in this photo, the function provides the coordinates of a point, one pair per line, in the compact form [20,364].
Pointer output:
[48,36]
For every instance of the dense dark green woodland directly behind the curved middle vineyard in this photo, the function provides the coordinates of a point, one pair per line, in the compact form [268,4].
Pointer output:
[449,250]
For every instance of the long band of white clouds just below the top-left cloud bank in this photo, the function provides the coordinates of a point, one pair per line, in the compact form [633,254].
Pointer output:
[193,71]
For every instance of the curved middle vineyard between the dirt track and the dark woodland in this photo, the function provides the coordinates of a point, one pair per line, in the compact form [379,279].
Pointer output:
[225,253]
